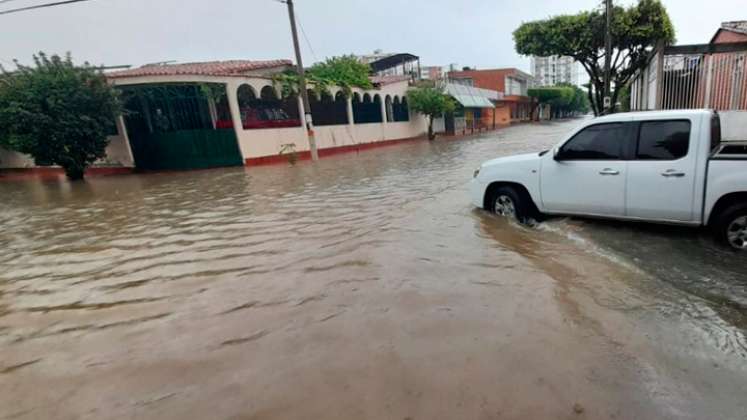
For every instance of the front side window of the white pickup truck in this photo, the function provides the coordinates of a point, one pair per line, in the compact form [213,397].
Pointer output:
[596,142]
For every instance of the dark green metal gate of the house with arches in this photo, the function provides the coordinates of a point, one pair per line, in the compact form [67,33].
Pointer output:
[180,126]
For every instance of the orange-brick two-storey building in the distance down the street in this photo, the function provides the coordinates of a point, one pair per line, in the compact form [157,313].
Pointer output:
[511,82]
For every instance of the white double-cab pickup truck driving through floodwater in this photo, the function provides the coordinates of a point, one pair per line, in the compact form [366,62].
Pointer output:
[662,166]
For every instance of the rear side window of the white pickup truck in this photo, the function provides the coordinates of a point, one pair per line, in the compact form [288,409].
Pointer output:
[663,140]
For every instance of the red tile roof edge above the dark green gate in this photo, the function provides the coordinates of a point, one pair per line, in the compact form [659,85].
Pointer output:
[213,68]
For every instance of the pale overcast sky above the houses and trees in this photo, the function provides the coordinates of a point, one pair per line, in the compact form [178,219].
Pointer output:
[467,32]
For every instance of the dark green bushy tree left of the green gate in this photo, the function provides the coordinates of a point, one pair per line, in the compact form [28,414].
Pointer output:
[57,112]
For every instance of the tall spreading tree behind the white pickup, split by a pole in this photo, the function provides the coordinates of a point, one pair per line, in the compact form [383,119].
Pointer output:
[635,31]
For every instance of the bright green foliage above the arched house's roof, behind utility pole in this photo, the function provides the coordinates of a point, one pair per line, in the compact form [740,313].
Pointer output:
[344,71]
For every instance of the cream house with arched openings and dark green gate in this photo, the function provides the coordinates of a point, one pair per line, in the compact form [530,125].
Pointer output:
[198,115]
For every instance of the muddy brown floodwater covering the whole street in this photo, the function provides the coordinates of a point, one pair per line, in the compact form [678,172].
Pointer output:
[362,287]
